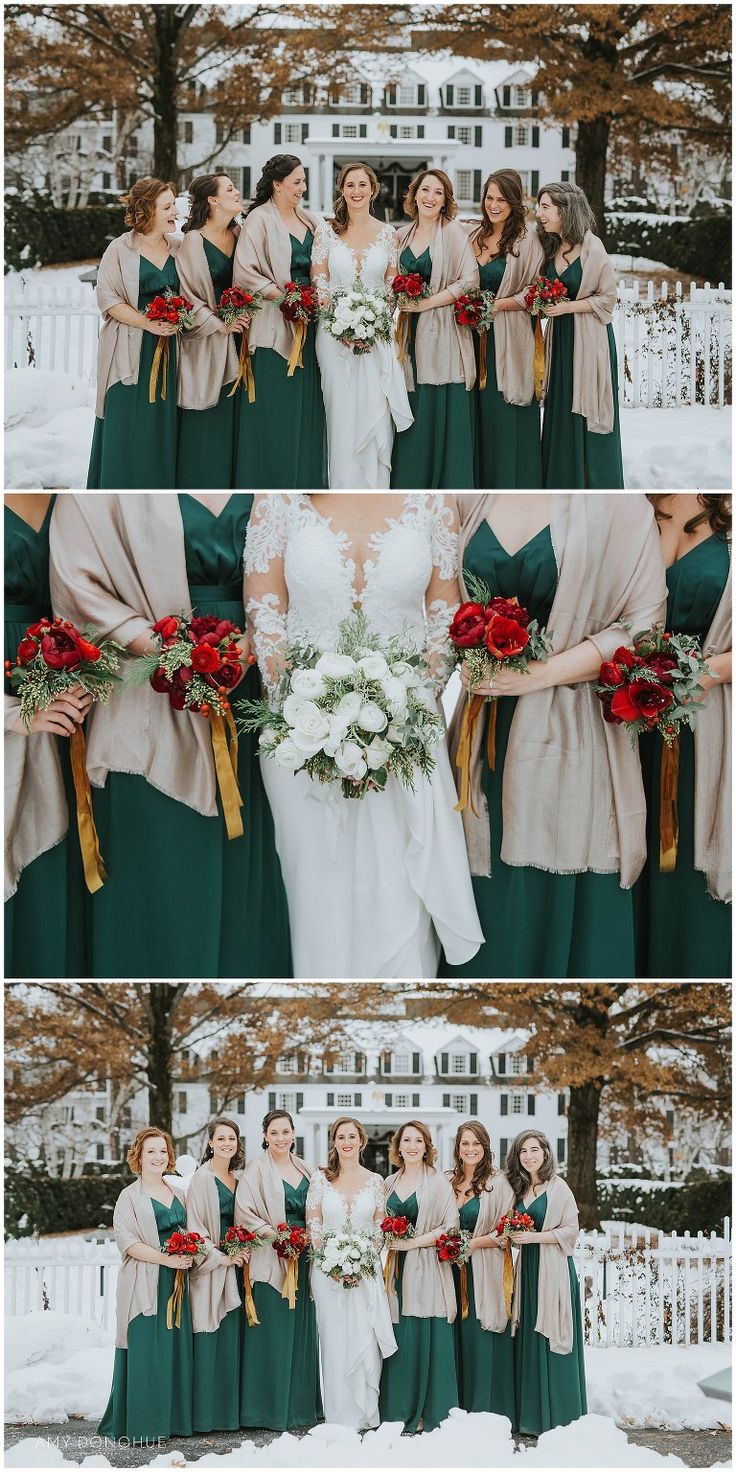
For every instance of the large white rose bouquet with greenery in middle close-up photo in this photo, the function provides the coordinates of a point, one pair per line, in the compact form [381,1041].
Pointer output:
[357,715]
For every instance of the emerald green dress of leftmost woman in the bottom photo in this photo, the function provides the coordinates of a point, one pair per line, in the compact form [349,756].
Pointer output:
[154,1379]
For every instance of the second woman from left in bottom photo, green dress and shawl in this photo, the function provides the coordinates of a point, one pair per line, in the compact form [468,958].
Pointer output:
[217,1309]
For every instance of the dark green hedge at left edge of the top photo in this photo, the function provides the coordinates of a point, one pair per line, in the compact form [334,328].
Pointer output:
[40,235]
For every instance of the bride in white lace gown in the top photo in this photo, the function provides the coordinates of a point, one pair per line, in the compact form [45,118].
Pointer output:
[364,395]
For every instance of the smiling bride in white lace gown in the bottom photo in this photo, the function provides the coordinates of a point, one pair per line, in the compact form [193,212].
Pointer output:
[355,1324]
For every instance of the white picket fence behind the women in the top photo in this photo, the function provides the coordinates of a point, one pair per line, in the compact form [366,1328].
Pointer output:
[672,350]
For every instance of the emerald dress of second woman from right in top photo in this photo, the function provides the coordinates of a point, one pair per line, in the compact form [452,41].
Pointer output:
[509,448]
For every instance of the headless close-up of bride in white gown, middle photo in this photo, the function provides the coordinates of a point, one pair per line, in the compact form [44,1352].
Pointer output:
[373,887]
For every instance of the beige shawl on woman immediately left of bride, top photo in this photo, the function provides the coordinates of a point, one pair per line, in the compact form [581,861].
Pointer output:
[264,260]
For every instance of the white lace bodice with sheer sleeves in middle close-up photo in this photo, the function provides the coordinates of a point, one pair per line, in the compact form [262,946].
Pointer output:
[302,579]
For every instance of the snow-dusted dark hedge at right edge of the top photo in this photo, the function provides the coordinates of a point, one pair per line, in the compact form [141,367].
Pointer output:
[697,247]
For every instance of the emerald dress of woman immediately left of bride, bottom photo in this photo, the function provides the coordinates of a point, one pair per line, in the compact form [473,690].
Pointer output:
[280,1384]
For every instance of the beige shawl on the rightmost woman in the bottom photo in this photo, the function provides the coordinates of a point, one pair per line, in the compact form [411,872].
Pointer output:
[554,1302]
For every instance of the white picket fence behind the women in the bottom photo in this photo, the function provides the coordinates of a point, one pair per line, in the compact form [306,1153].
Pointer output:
[638,1287]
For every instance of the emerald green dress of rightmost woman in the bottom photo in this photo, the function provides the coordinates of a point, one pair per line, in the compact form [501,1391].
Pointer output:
[551,1389]
